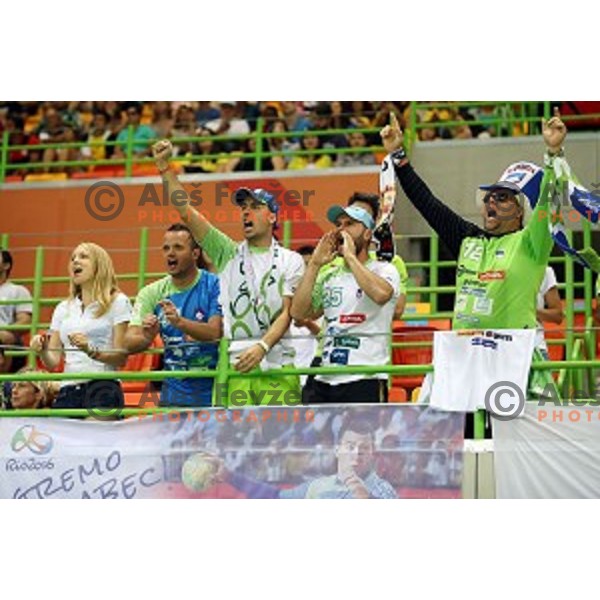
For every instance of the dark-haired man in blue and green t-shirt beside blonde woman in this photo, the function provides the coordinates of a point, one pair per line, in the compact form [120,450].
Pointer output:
[183,308]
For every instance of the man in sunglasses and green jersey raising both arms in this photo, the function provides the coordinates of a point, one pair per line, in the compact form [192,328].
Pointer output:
[500,266]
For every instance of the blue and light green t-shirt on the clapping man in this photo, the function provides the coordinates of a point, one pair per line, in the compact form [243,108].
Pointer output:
[199,302]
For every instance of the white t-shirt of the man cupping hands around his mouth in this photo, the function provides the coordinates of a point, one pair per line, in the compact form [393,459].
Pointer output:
[357,329]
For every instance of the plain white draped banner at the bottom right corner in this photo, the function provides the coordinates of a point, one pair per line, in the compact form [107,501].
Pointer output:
[551,451]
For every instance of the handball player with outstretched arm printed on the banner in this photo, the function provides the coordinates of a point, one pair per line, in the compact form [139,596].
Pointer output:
[355,477]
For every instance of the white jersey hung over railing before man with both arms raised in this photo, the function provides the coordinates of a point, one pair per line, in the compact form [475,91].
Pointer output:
[468,363]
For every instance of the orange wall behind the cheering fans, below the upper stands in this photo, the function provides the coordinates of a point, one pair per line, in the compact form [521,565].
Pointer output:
[57,218]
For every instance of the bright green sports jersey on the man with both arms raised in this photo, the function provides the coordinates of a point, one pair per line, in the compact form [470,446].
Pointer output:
[498,278]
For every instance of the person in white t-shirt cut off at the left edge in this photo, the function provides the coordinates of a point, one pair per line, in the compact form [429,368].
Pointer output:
[11,314]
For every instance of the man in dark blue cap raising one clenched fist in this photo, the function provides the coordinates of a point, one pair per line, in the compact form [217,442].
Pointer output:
[258,278]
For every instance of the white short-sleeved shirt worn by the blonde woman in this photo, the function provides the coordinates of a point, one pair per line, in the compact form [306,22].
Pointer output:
[69,318]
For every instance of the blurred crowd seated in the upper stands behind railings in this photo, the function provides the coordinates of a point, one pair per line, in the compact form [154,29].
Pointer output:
[100,123]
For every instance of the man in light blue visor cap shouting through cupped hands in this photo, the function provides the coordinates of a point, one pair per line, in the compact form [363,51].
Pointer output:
[356,298]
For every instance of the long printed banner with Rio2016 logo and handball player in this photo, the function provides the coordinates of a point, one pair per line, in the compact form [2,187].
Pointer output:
[389,451]
